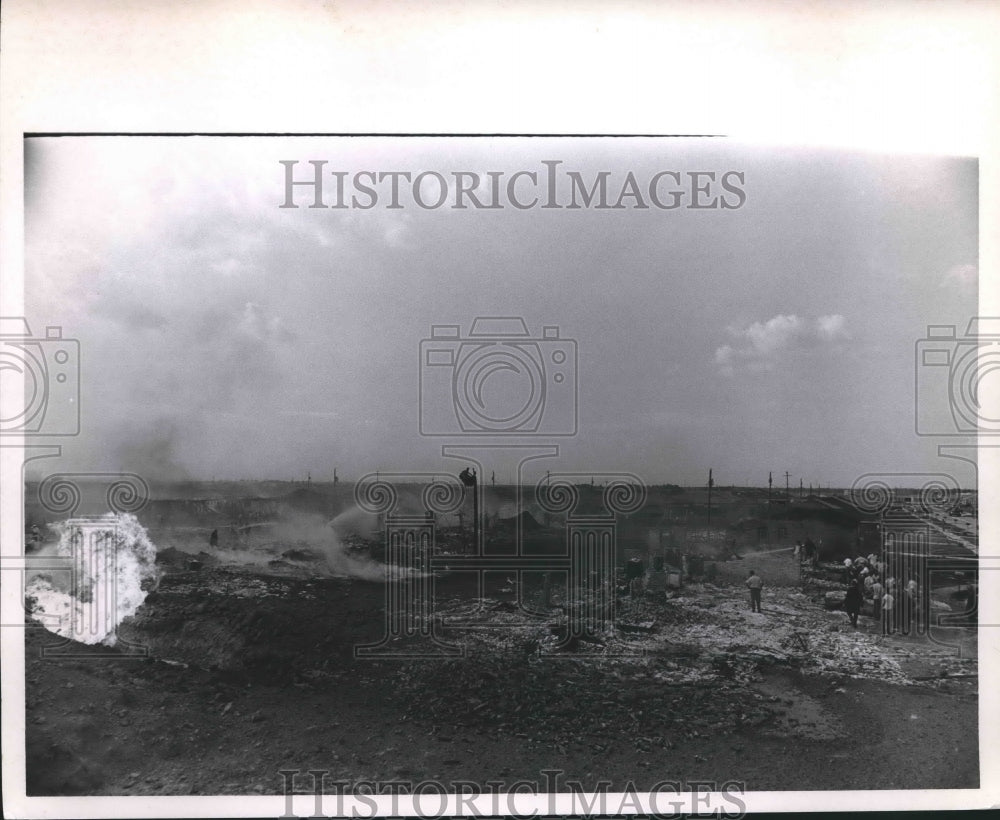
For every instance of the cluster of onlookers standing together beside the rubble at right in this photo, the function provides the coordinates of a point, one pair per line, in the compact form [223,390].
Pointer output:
[894,605]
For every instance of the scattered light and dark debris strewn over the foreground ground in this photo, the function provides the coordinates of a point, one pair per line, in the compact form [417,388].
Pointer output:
[696,659]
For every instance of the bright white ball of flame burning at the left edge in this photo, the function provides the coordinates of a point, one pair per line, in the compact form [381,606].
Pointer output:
[109,561]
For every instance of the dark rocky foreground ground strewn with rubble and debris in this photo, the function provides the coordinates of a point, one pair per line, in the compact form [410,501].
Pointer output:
[252,671]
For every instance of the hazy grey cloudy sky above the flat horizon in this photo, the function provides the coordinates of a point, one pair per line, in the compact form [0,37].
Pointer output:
[223,336]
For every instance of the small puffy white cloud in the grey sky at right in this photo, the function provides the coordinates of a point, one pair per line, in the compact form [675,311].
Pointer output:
[761,345]
